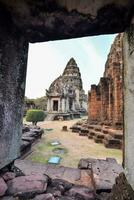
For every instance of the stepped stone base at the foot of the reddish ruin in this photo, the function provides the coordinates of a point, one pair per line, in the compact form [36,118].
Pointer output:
[111,138]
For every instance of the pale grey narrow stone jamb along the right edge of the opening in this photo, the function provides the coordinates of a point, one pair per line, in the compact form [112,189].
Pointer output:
[129,104]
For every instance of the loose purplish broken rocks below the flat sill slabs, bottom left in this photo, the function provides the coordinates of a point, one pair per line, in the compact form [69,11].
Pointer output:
[41,187]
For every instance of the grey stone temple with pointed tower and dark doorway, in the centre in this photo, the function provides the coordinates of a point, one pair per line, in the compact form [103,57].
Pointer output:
[66,97]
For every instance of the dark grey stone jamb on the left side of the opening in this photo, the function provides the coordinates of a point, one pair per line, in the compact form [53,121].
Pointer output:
[13,62]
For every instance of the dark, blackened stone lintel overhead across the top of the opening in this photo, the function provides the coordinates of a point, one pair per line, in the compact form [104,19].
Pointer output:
[61,19]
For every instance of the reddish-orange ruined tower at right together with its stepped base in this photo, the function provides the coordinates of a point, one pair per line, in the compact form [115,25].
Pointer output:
[105,103]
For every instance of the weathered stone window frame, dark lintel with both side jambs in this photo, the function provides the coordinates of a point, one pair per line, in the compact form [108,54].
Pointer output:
[27,21]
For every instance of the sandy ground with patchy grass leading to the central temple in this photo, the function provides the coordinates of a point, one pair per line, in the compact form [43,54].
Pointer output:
[75,146]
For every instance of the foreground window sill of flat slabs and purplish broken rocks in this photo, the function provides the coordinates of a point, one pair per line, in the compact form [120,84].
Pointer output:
[92,180]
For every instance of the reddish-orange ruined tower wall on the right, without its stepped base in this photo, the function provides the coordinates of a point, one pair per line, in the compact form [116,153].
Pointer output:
[105,102]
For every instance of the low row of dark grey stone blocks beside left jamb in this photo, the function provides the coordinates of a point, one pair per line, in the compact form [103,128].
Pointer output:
[30,135]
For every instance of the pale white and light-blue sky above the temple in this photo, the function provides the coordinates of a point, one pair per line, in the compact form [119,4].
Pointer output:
[46,61]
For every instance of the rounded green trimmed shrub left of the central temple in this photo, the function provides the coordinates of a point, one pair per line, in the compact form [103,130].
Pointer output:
[35,116]
